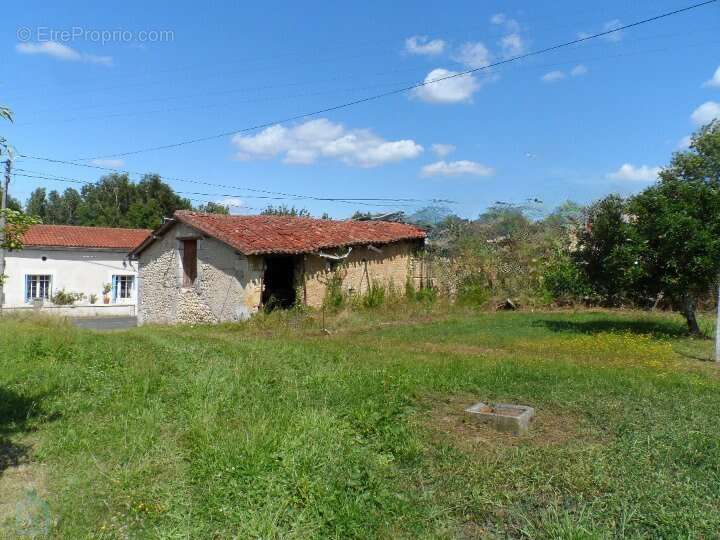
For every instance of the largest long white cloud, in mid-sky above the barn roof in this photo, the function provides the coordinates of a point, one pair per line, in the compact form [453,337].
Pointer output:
[305,143]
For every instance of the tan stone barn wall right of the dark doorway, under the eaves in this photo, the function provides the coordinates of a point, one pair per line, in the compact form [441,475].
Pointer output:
[391,266]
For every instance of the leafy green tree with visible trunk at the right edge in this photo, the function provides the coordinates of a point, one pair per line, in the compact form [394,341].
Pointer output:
[678,223]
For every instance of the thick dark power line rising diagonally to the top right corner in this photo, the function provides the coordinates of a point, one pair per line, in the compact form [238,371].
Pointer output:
[406,88]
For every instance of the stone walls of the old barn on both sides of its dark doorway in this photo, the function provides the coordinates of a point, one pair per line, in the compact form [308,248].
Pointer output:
[229,285]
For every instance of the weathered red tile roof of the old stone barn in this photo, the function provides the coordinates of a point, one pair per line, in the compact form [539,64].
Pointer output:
[255,235]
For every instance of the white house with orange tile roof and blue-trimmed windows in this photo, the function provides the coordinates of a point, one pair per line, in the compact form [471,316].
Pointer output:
[86,264]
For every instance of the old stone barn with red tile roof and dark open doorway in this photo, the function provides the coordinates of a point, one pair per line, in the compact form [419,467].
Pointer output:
[211,268]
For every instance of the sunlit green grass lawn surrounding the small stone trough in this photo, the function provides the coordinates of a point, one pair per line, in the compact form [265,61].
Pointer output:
[272,430]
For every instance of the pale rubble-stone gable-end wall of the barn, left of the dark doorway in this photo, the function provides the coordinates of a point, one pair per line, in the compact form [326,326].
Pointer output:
[227,288]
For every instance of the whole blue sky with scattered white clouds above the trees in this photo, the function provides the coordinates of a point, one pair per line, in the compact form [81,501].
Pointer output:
[577,123]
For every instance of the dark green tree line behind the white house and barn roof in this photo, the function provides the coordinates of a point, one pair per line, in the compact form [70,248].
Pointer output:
[114,201]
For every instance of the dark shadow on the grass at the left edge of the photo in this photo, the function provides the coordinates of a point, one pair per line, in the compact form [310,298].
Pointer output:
[16,412]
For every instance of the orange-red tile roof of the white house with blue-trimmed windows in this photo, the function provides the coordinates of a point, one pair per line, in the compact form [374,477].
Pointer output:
[89,237]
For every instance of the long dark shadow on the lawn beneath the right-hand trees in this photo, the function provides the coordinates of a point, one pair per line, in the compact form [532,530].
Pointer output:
[667,329]
